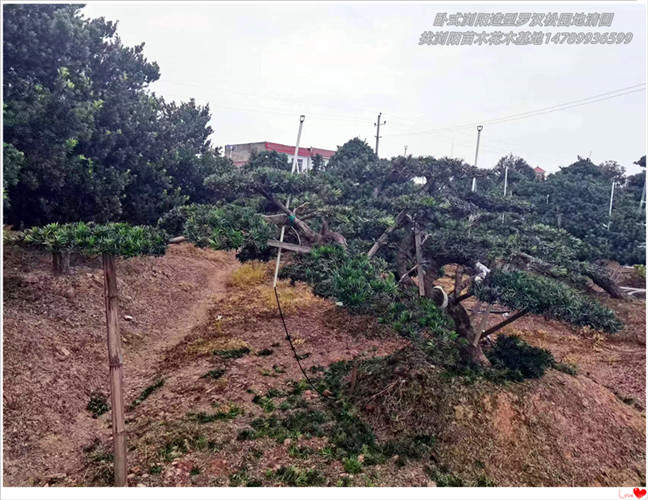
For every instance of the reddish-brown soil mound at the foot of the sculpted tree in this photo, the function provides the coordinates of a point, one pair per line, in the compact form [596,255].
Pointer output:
[560,430]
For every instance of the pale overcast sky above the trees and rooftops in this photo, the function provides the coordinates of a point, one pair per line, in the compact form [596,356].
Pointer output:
[259,66]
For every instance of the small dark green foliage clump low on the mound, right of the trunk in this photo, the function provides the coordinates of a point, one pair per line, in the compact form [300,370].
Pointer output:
[520,359]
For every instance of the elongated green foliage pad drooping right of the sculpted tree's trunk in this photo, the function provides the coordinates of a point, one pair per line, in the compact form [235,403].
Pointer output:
[536,294]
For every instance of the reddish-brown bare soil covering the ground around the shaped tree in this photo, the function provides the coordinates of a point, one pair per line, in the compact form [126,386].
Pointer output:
[586,430]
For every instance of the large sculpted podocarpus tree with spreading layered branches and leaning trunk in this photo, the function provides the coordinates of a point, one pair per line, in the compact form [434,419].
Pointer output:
[418,215]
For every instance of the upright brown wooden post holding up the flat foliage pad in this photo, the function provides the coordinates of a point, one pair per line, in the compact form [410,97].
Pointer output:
[116,372]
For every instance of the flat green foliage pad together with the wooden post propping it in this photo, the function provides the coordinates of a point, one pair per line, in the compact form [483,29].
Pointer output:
[109,241]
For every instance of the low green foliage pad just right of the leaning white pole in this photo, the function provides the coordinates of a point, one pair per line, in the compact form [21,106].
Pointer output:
[360,284]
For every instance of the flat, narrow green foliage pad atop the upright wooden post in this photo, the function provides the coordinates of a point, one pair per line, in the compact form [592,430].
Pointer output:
[115,239]
